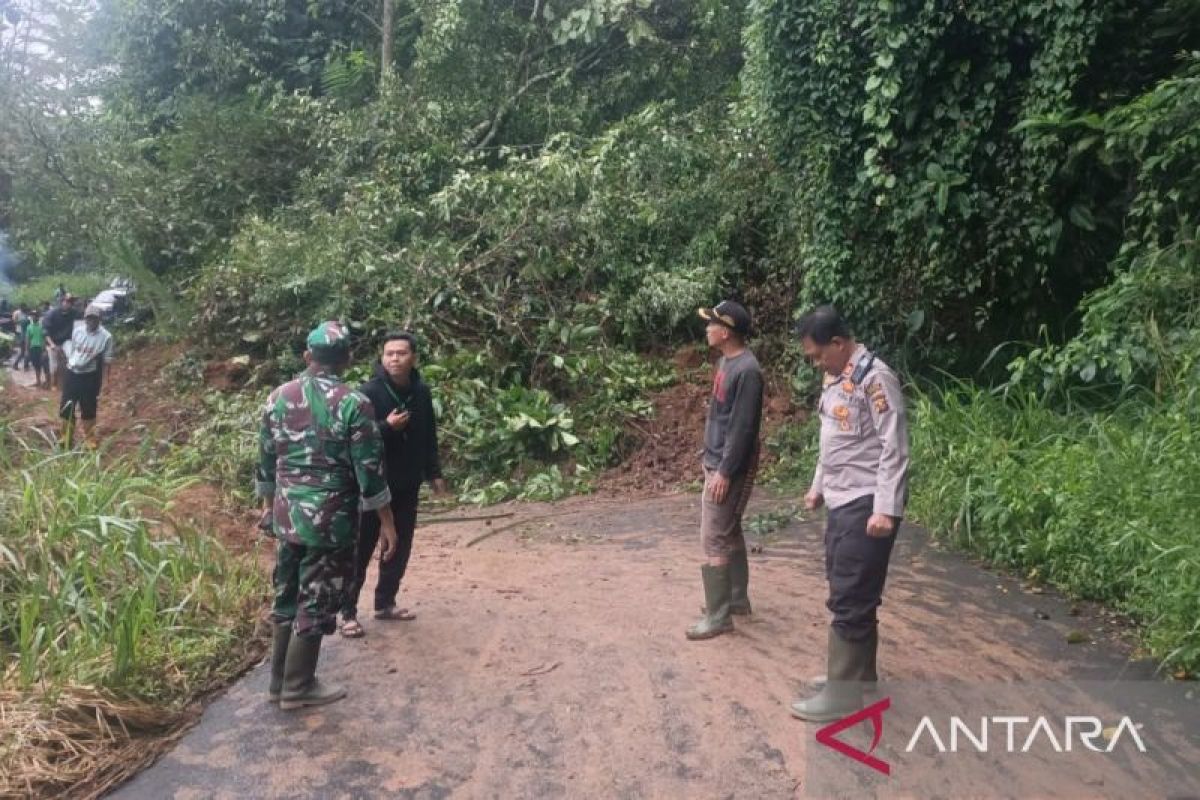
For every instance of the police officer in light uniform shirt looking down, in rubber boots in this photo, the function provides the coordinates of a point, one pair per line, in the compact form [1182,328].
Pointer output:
[862,479]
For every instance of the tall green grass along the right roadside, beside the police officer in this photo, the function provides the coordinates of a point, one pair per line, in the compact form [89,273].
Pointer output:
[1102,504]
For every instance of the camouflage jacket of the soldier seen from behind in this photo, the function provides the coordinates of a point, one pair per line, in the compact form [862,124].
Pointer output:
[321,460]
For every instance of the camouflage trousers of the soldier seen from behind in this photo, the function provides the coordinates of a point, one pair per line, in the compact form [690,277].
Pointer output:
[310,587]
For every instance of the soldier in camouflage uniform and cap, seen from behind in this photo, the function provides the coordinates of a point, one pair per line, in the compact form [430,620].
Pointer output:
[321,464]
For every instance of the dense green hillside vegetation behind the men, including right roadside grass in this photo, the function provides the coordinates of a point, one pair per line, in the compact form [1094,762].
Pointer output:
[545,190]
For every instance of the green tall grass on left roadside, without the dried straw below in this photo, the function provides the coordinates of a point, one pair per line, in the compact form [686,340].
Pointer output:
[104,572]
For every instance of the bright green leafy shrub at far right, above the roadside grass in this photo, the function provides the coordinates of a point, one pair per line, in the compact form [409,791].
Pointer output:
[1142,327]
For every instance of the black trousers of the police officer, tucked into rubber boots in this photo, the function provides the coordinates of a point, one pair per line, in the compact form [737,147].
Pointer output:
[856,568]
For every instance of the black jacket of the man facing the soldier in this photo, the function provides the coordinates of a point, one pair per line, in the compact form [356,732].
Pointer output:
[412,454]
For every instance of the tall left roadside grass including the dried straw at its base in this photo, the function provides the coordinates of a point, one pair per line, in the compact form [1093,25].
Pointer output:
[103,599]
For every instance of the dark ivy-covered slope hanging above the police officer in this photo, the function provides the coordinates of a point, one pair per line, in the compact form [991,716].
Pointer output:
[945,189]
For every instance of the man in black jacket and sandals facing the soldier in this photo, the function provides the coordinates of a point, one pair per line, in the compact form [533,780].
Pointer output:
[404,410]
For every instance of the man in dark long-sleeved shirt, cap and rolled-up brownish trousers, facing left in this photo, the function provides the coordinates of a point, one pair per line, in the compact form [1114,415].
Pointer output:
[730,462]
